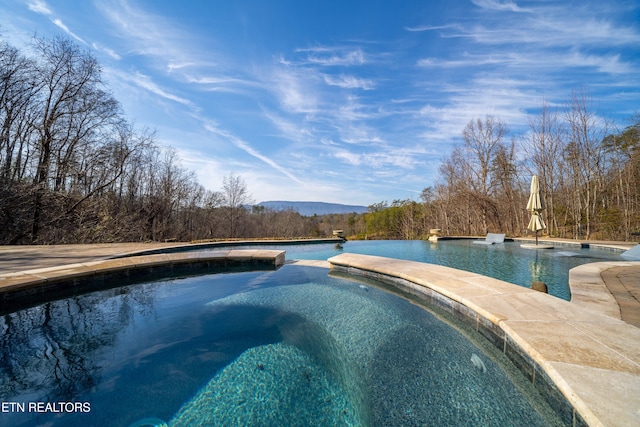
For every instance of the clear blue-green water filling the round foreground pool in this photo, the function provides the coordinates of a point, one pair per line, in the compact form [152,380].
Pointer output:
[295,346]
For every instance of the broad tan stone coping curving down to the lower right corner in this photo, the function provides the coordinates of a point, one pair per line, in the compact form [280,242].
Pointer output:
[585,363]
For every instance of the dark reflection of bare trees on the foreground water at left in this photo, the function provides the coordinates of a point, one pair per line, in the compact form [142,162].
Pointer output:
[55,346]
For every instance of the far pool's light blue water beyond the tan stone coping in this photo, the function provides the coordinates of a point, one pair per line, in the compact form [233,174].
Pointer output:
[507,261]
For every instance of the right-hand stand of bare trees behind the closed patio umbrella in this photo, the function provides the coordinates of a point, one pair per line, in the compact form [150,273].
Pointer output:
[589,173]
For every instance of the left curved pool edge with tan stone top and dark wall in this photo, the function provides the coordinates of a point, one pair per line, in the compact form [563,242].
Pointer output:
[29,287]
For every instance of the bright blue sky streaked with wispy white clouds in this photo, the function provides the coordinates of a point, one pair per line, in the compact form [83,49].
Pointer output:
[344,101]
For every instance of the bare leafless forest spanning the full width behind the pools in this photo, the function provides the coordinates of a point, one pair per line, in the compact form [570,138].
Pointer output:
[74,169]
